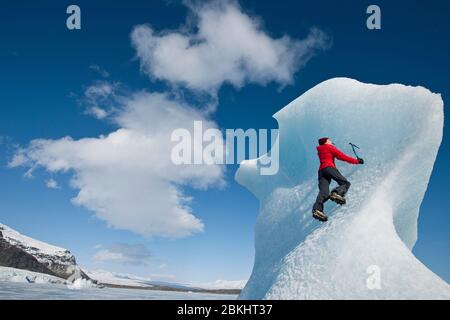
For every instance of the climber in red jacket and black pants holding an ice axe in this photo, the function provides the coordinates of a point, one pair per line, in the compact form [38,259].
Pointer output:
[327,172]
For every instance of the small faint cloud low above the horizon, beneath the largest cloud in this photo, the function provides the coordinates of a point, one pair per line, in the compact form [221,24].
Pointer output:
[124,253]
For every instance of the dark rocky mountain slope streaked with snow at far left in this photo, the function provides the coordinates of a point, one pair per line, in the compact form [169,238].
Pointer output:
[22,252]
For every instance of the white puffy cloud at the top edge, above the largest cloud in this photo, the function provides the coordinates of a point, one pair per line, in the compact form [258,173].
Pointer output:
[227,46]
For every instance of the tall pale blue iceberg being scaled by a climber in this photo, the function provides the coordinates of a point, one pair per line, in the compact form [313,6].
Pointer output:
[399,129]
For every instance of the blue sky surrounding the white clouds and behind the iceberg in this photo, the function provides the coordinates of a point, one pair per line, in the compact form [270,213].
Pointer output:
[47,69]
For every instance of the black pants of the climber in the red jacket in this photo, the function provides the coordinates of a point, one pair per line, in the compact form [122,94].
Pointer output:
[325,177]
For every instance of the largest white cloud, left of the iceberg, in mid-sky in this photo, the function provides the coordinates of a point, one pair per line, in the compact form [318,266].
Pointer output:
[126,177]
